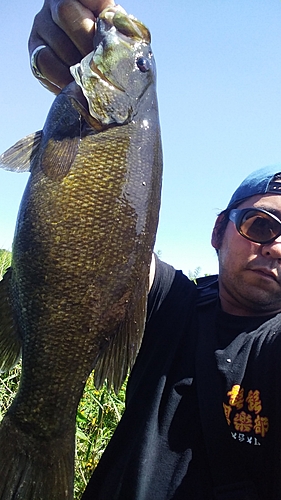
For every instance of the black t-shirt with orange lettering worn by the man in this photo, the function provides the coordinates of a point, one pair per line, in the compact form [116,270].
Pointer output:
[172,444]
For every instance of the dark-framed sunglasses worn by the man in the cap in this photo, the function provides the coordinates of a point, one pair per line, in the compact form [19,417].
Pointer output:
[256,224]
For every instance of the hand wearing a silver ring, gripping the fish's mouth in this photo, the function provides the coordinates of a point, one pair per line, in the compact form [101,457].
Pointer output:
[65,29]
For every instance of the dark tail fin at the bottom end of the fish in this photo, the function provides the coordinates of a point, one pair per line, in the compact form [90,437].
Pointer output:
[34,468]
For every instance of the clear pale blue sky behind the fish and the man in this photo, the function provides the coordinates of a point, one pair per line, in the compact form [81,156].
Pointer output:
[219,91]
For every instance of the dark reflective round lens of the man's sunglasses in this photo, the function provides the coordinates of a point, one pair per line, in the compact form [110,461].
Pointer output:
[259,227]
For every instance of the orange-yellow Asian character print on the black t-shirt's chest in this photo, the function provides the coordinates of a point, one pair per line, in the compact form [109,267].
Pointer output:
[249,419]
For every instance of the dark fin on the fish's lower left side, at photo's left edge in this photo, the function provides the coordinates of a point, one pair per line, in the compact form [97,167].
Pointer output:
[10,342]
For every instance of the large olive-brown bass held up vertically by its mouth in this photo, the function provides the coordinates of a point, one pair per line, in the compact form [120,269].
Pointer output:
[74,298]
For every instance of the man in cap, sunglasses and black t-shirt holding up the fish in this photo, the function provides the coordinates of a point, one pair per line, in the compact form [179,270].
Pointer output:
[203,400]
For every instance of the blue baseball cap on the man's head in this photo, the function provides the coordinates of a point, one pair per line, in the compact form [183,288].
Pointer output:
[258,182]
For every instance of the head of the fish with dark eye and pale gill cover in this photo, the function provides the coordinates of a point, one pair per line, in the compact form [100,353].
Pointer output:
[114,77]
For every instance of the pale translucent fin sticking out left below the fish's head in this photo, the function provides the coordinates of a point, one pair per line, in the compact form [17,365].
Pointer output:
[18,158]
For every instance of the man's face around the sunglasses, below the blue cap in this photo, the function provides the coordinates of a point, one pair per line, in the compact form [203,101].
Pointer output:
[250,273]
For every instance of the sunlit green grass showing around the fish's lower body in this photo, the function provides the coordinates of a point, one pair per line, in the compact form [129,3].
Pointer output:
[98,413]
